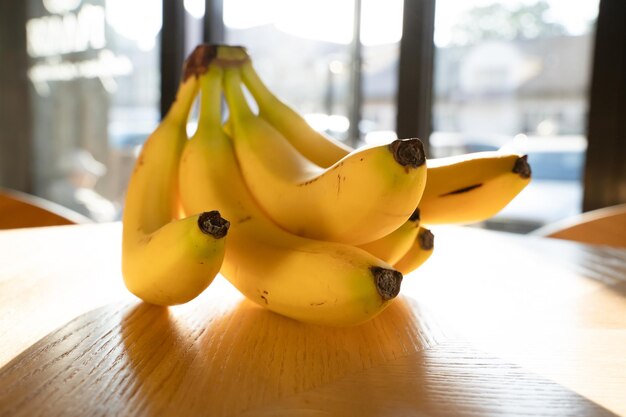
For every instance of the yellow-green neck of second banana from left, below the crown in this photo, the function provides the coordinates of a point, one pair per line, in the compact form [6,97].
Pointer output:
[210,99]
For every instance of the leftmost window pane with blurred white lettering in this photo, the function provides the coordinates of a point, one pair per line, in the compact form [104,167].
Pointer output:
[94,70]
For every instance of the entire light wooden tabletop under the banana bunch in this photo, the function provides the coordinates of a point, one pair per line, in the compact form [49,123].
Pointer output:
[494,324]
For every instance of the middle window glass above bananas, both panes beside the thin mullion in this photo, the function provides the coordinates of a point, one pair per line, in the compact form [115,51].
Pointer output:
[302,50]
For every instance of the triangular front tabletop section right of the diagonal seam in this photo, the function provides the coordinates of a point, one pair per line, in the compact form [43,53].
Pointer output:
[452,379]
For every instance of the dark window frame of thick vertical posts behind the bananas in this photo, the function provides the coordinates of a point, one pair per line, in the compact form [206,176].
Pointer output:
[606,124]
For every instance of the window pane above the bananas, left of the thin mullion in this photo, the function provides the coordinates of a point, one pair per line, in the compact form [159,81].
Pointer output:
[300,51]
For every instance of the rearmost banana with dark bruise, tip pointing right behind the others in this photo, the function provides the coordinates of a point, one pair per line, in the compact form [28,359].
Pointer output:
[491,191]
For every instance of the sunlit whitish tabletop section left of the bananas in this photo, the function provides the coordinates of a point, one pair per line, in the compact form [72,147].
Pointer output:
[50,275]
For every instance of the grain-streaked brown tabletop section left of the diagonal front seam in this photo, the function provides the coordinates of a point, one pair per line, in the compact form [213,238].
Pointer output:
[213,359]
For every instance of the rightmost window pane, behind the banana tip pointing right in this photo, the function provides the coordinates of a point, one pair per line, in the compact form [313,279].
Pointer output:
[515,74]
